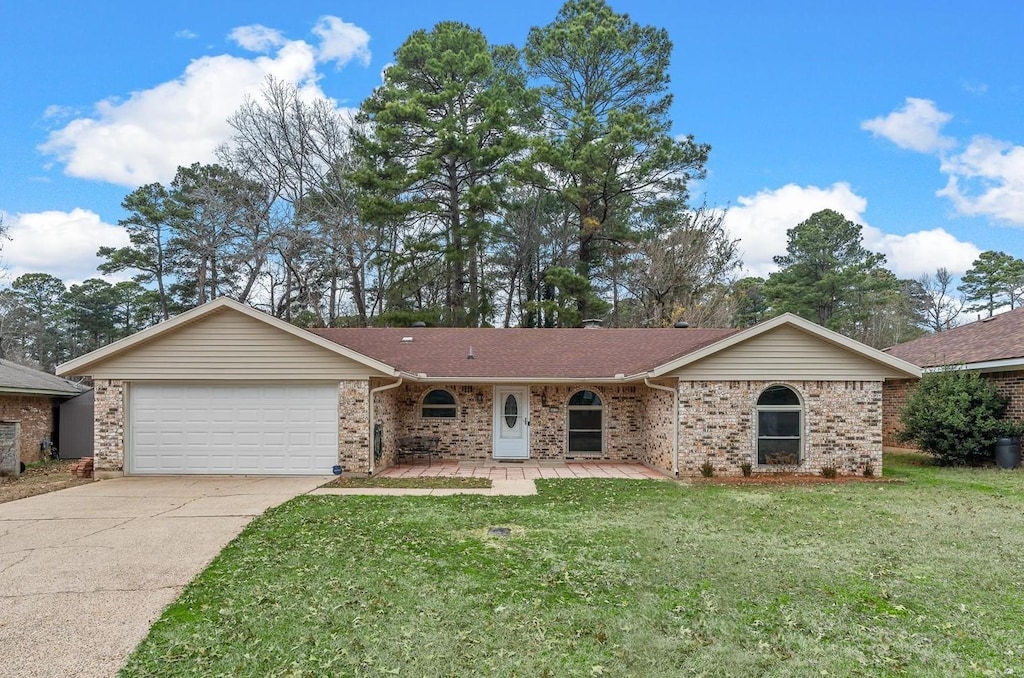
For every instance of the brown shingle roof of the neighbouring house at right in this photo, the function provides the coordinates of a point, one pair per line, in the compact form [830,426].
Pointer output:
[997,338]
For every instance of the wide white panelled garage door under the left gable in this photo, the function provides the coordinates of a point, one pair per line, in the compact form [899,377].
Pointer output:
[290,431]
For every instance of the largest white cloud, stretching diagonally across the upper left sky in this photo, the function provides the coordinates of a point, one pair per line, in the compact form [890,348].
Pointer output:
[145,138]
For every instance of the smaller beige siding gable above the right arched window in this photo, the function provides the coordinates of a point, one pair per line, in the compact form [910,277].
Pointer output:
[786,354]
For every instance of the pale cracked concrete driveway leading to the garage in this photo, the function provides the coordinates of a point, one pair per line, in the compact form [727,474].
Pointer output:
[86,572]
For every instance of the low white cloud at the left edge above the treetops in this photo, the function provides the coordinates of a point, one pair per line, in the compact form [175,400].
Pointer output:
[62,244]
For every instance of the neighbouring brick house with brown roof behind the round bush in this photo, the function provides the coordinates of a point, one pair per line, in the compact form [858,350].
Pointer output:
[993,347]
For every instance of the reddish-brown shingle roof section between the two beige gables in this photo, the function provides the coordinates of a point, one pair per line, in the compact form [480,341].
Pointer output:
[523,354]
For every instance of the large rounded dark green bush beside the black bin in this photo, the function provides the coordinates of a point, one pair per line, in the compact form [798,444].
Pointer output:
[955,416]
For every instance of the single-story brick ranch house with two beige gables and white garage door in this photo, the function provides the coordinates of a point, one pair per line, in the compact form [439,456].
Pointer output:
[225,389]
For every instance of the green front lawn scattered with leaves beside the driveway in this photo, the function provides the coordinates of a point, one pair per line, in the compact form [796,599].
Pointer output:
[619,578]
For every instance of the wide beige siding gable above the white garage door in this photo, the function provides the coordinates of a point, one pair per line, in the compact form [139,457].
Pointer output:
[228,346]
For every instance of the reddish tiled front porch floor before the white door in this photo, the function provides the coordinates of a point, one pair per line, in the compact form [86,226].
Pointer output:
[525,472]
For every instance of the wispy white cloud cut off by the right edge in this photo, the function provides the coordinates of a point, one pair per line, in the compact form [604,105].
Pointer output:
[988,180]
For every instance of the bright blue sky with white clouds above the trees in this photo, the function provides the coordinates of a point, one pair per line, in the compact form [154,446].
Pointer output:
[906,116]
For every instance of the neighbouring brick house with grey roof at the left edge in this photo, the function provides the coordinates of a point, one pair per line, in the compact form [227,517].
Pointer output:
[30,399]
